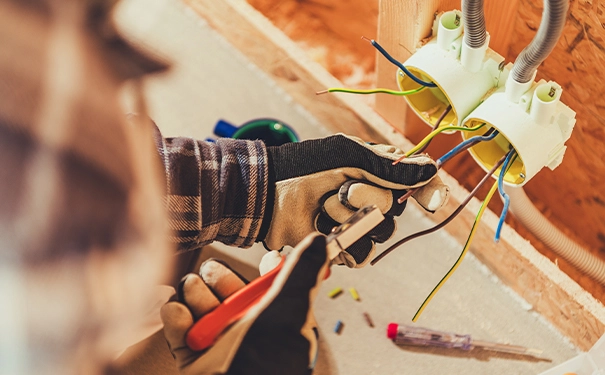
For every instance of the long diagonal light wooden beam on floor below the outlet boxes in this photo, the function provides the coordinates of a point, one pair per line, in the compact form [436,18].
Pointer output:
[552,293]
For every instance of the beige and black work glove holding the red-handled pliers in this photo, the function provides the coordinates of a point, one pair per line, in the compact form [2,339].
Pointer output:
[276,336]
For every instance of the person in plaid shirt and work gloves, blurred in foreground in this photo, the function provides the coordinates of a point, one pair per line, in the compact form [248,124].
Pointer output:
[94,205]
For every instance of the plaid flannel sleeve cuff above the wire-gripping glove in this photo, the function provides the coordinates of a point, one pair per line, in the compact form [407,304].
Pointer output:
[214,191]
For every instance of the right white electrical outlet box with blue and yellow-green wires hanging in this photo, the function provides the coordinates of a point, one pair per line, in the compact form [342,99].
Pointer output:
[537,127]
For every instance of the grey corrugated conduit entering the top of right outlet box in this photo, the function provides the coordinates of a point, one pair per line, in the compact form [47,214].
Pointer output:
[551,27]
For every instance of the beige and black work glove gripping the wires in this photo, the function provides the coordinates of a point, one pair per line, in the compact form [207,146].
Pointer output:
[318,184]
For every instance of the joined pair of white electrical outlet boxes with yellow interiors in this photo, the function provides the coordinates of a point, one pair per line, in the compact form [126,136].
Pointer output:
[476,83]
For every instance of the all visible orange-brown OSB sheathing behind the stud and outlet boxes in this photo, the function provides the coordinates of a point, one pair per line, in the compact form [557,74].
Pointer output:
[571,196]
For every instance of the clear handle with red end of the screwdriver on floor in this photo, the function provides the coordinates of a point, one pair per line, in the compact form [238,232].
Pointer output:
[418,336]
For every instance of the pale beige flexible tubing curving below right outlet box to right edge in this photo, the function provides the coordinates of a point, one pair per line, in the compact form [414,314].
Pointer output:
[524,210]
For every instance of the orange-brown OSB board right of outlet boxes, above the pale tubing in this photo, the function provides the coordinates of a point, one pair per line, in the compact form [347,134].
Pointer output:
[572,196]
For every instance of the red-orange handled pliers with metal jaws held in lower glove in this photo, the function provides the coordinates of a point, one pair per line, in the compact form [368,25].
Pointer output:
[206,330]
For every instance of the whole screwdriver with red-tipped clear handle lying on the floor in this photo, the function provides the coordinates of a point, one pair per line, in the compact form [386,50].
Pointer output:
[418,336]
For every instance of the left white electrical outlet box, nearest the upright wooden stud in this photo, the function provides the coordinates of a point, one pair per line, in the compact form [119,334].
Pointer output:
[461,84]
